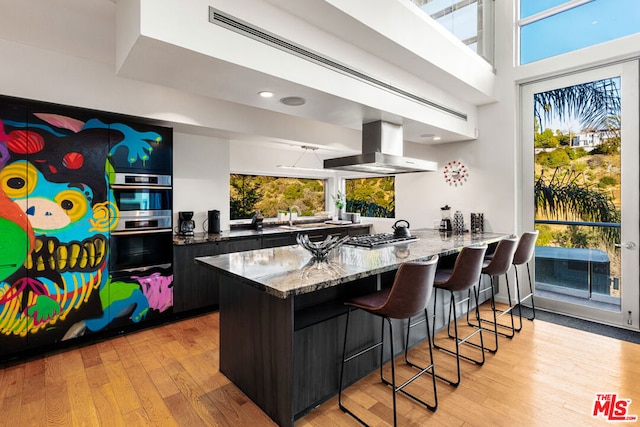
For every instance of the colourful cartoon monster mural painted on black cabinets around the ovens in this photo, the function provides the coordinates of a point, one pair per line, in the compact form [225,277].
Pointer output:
[56,214]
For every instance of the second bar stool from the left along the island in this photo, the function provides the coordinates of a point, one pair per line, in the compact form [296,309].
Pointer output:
[463,277]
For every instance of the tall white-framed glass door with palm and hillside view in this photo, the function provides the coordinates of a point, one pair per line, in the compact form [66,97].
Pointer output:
[579,150]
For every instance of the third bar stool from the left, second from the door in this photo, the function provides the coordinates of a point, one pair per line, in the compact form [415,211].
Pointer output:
[498,264]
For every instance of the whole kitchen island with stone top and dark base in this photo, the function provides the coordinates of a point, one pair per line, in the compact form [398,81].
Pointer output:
[282,315]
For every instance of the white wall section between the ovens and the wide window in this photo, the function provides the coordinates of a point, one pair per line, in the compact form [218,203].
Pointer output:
[201,177]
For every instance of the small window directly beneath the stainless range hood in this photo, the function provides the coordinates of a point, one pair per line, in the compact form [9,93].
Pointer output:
[371,197]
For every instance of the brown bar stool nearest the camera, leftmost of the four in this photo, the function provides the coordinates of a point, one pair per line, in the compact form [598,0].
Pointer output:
[407,297]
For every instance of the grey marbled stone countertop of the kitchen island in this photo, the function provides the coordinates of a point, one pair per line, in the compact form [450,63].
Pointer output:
[290,270]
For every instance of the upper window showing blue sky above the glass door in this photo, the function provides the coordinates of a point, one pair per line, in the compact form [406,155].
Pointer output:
[553,27]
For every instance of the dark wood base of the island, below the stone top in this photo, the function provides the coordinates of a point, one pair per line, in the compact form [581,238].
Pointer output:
[286,358]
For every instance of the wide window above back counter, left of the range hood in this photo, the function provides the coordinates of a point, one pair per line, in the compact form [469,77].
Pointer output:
[270,194]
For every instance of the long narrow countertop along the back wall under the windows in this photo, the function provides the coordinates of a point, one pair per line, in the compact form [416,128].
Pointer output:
[266,231]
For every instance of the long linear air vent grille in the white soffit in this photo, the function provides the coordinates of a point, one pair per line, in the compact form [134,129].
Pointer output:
[241,27]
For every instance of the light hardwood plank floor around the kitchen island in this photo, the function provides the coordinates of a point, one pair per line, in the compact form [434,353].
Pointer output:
[168,375]
